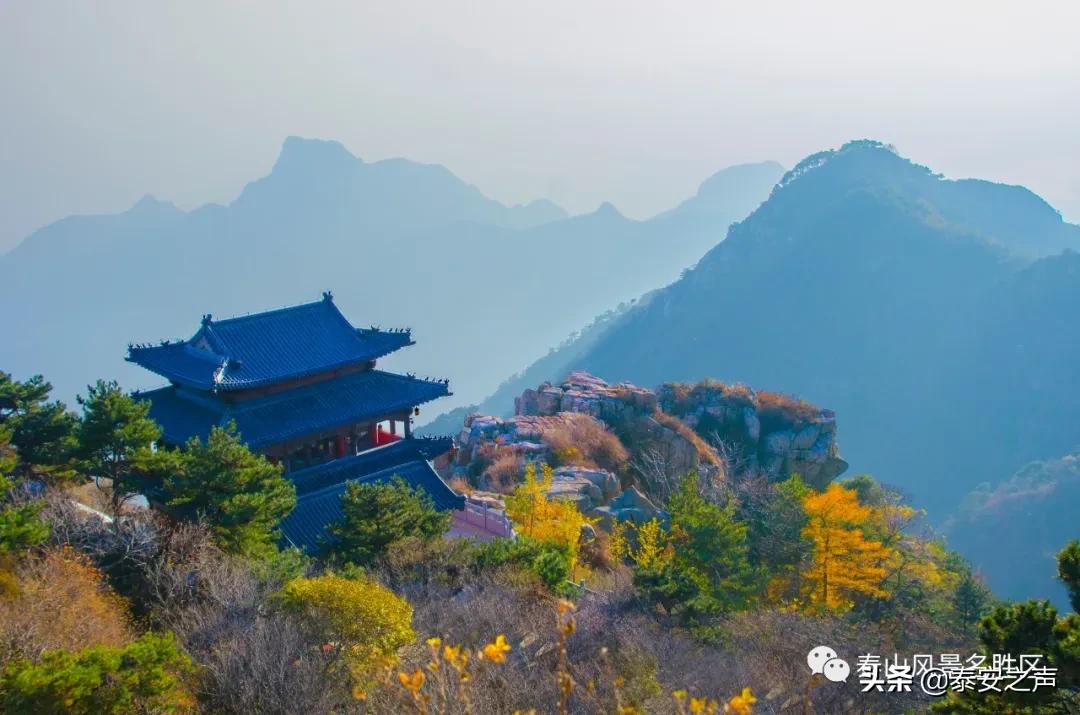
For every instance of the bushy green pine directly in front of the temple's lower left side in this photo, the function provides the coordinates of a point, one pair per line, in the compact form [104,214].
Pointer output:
[240,494]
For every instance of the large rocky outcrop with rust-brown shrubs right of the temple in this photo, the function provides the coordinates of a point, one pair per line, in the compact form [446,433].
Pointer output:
[668,433]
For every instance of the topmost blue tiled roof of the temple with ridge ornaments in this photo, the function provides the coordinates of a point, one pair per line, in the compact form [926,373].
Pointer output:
[256,350]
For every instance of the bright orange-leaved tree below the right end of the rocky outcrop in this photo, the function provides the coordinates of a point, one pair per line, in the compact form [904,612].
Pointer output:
[846,561]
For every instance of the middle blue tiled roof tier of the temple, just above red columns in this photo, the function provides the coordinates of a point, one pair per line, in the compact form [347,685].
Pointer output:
[292,414]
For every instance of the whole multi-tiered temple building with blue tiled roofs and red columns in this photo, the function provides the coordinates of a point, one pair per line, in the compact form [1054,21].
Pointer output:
[303,388]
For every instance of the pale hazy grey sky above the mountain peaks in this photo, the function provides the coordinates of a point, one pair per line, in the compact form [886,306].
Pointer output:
[579,102]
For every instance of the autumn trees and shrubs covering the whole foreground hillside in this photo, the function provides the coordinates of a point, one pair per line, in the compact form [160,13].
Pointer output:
[709,605]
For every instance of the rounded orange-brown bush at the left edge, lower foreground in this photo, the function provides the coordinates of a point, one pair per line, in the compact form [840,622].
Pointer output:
[62,603]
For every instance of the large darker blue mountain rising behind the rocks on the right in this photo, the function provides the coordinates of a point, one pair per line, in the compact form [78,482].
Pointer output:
[941,319]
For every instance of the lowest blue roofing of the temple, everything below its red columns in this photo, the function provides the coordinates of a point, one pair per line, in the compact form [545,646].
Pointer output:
[320,489]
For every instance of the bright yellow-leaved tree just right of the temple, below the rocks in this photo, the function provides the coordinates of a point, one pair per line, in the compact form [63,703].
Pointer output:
[538,517]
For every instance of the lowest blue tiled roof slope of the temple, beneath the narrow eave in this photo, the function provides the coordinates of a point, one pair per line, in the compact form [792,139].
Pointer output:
[306,525]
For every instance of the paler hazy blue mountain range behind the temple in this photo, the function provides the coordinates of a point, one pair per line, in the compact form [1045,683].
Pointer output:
[485,288]
